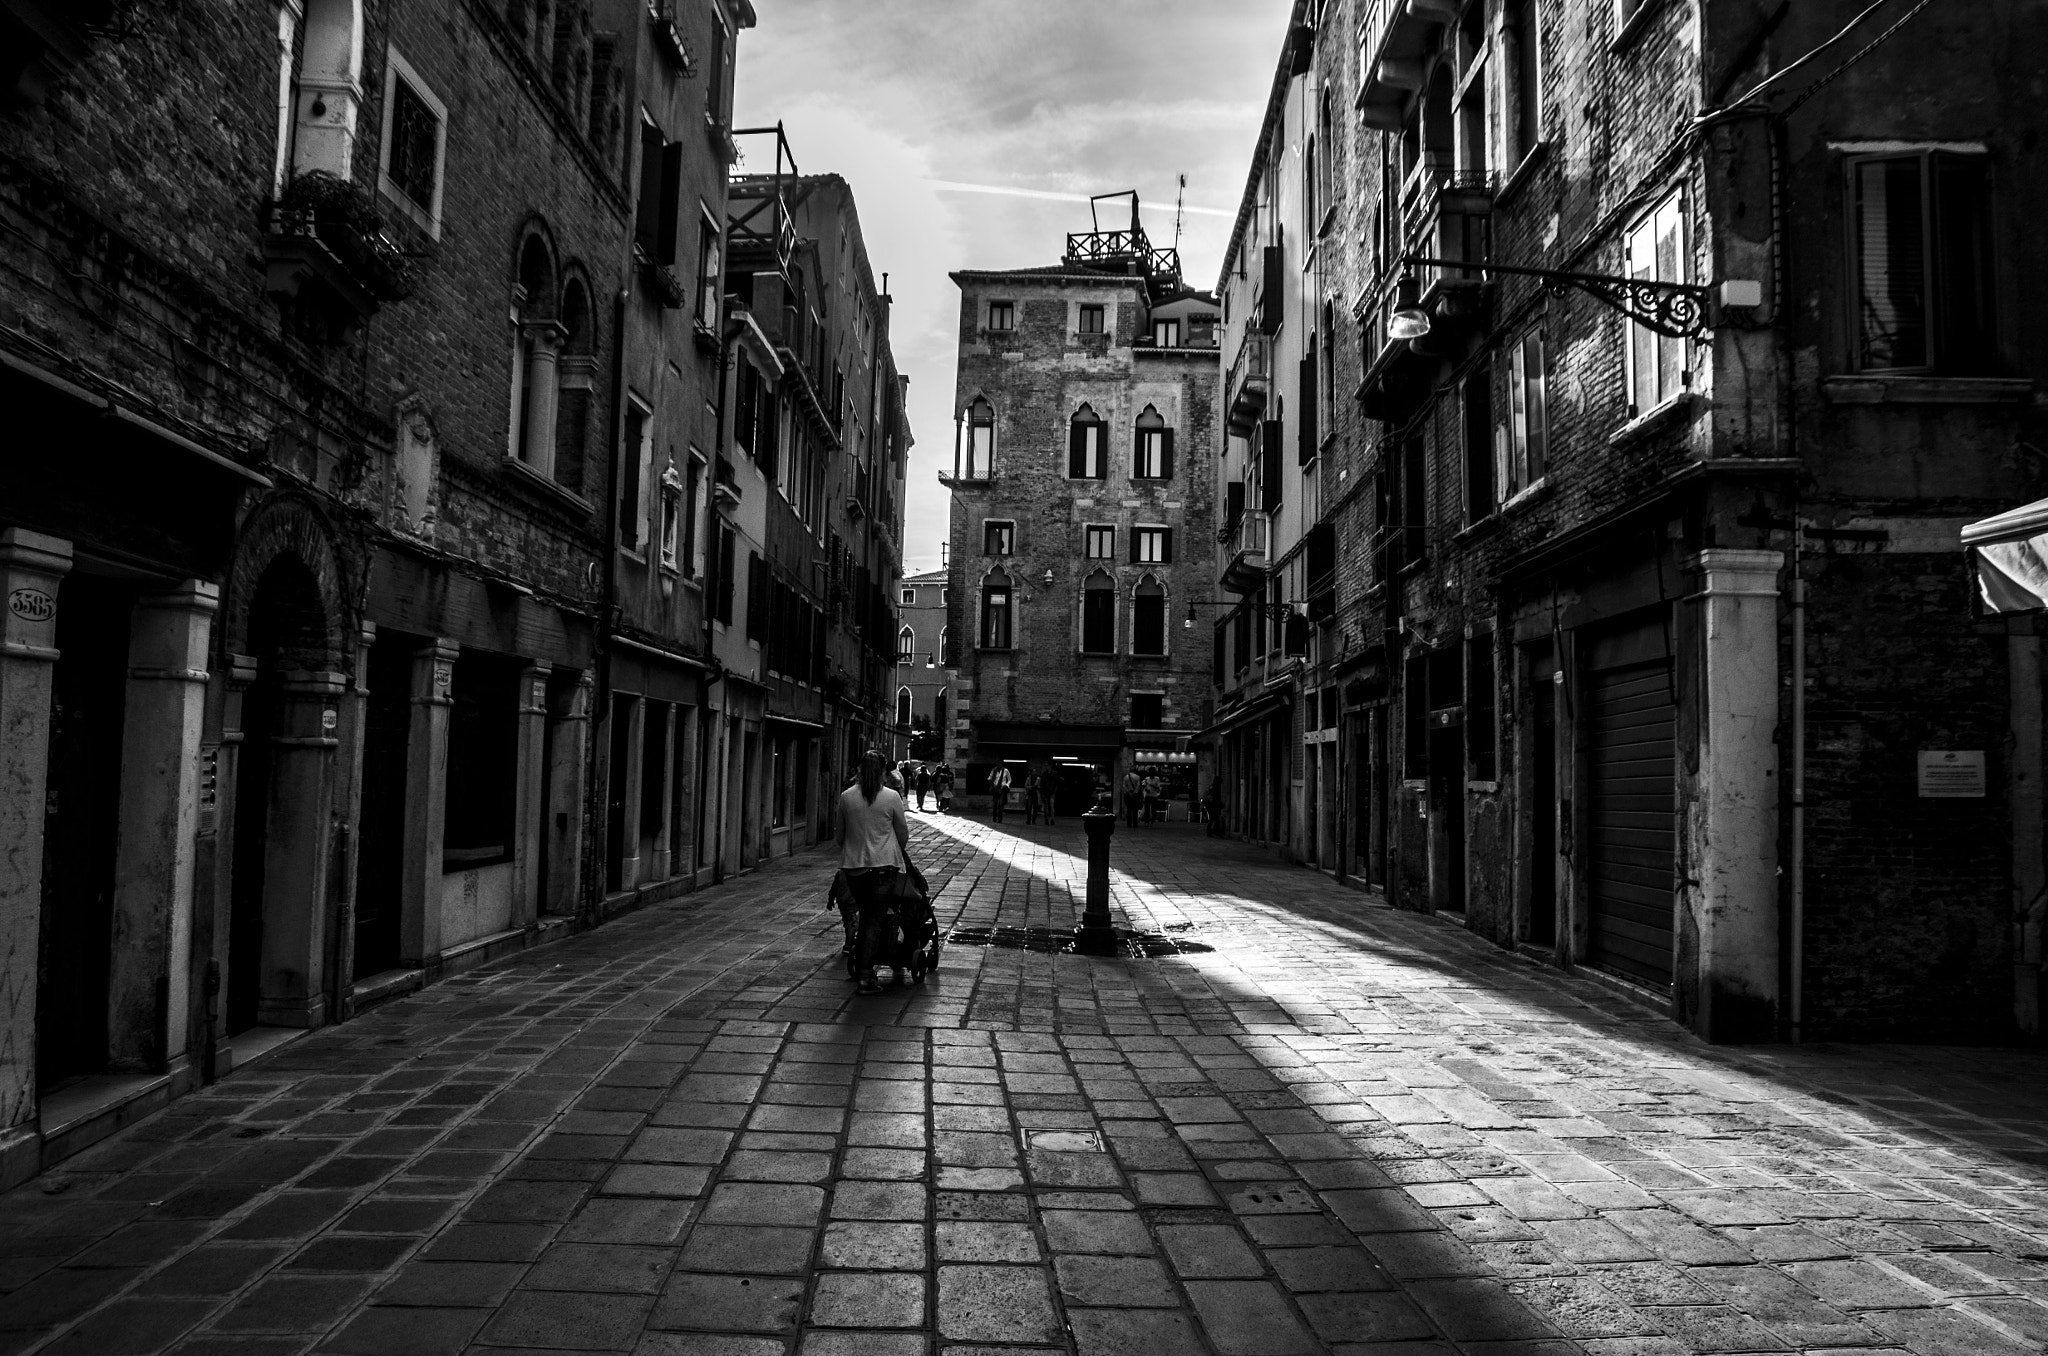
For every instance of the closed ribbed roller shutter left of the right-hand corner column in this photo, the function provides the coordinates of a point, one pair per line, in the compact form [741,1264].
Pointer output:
[1633,827]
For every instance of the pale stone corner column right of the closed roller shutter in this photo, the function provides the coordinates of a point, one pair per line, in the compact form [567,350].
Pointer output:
[1736,816]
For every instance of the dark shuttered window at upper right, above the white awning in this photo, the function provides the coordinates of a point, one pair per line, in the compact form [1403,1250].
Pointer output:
[1922,269]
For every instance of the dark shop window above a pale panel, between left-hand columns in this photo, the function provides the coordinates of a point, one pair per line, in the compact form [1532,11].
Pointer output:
[482,783]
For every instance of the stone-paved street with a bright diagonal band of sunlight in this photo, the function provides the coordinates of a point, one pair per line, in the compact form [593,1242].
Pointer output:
[1340,1130]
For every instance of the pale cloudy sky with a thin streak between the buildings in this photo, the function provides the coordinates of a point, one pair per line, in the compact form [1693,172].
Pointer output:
[919,101]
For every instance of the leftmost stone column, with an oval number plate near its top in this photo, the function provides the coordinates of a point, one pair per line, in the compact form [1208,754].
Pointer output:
[32,568]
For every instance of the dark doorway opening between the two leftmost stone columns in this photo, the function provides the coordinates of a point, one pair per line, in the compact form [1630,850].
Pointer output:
[81,829]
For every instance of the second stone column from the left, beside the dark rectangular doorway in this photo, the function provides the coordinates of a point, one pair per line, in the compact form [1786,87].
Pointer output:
[151,976]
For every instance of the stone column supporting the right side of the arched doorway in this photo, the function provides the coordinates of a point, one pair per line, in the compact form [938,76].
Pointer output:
[300,851]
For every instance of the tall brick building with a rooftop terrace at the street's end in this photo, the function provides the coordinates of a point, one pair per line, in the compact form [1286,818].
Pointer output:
[1082,513]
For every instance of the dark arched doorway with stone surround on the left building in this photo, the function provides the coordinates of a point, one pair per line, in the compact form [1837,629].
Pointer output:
[286,687]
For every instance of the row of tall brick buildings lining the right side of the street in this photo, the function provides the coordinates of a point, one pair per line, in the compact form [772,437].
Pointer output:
[1652,642]
